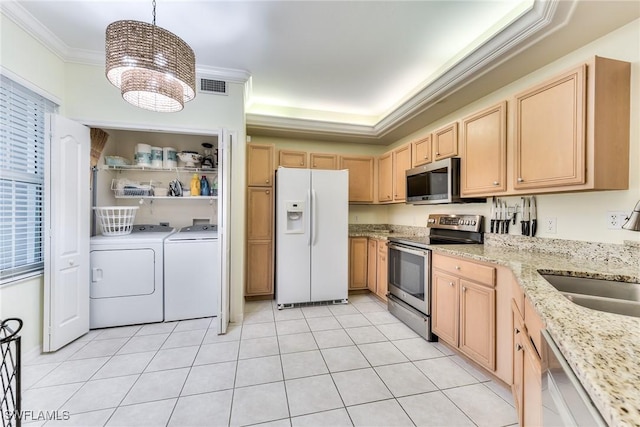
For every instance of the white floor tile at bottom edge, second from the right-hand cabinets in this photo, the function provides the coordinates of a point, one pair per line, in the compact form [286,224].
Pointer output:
[434,410]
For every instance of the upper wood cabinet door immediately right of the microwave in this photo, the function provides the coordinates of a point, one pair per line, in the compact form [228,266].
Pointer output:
[484,149]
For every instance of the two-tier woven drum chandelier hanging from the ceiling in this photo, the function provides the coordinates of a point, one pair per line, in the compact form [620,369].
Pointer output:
[153,68]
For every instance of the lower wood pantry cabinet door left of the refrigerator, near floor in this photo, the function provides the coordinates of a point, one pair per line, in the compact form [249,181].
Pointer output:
[259,268]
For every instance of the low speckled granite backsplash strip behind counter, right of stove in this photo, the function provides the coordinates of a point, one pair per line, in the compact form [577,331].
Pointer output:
[625,254]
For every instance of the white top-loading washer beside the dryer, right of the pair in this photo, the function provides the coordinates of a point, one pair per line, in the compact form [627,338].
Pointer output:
[191,273]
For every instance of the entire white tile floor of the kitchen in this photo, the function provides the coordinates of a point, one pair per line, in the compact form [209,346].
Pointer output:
[337,365]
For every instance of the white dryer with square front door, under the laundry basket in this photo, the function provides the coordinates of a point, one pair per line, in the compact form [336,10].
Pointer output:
[127,282]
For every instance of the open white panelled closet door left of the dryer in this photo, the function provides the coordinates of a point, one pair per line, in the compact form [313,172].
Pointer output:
[67,218]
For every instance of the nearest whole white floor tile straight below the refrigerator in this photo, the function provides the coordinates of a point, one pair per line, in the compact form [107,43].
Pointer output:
[312,394]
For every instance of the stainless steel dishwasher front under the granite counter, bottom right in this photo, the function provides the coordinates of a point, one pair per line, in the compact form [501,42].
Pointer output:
[564,400]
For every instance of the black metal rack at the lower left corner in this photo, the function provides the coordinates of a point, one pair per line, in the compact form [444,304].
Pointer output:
[10,405]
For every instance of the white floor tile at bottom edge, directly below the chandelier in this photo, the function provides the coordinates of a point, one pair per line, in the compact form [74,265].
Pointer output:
[143,414]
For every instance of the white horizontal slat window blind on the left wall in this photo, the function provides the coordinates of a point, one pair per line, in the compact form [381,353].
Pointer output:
[22,175]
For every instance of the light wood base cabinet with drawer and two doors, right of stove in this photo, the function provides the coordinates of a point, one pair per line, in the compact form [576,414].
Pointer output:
[464,312]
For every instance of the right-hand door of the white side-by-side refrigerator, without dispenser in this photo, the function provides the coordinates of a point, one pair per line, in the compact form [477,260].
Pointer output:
[329,235]
